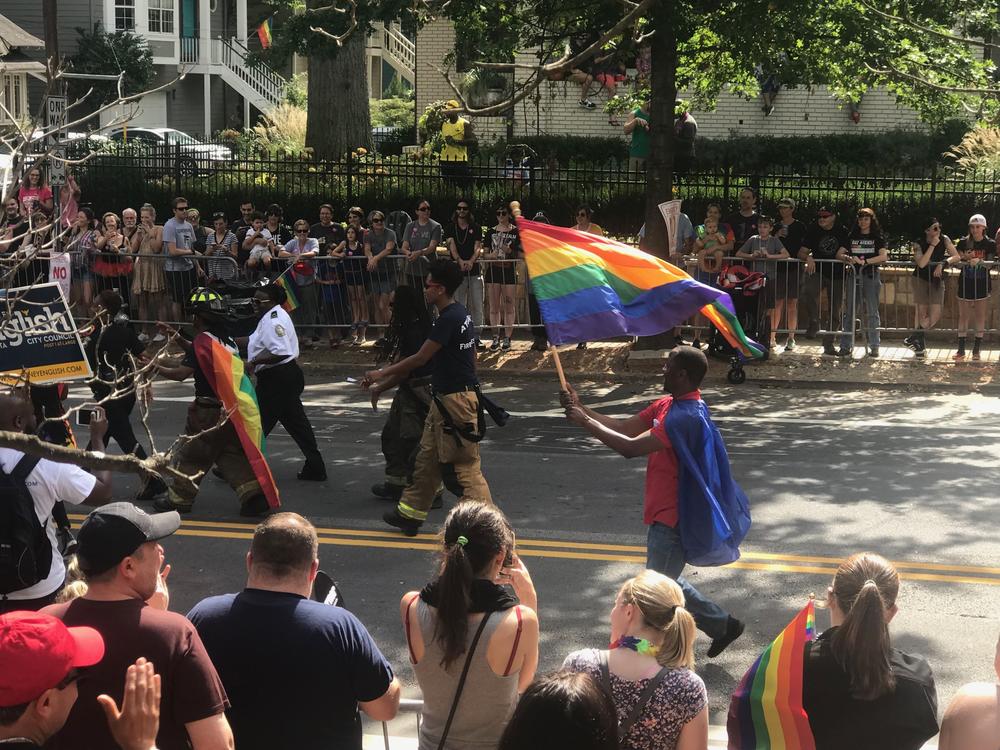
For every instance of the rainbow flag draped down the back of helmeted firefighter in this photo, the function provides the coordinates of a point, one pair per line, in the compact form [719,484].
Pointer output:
[225,374]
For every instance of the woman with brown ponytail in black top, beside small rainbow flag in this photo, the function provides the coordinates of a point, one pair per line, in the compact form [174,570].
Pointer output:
[859,691]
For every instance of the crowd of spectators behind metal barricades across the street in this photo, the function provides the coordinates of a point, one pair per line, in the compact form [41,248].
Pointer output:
[805,276]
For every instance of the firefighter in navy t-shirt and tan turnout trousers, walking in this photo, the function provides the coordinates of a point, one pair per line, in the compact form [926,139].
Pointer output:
[454,423]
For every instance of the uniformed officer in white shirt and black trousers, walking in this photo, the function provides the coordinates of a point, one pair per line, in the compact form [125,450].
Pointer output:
[272,351]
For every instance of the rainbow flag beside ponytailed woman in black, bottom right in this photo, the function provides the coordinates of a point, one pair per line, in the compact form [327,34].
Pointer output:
[765,712]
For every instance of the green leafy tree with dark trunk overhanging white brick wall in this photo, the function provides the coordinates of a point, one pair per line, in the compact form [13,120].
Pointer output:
[703,46]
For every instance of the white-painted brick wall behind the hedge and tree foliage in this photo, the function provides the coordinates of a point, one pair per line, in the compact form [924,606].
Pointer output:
[801,111]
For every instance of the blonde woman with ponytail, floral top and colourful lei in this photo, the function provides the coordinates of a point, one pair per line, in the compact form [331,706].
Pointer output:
[661,703]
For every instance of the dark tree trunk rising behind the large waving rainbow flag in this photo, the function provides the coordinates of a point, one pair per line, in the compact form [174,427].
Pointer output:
[660,165]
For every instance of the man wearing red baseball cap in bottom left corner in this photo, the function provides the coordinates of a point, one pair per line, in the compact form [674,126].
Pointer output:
[39,662]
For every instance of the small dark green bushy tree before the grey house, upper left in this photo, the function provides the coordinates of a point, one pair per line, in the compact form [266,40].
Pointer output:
[110,54]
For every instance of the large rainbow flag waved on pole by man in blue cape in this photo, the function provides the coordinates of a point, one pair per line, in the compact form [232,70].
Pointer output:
[591,287]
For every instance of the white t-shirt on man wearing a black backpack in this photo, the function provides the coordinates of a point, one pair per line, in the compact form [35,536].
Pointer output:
[48,483]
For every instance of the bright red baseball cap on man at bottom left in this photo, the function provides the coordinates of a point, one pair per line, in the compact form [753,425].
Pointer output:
[37,651]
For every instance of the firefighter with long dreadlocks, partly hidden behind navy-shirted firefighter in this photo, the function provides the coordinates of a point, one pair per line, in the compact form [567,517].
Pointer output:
[408,329]
